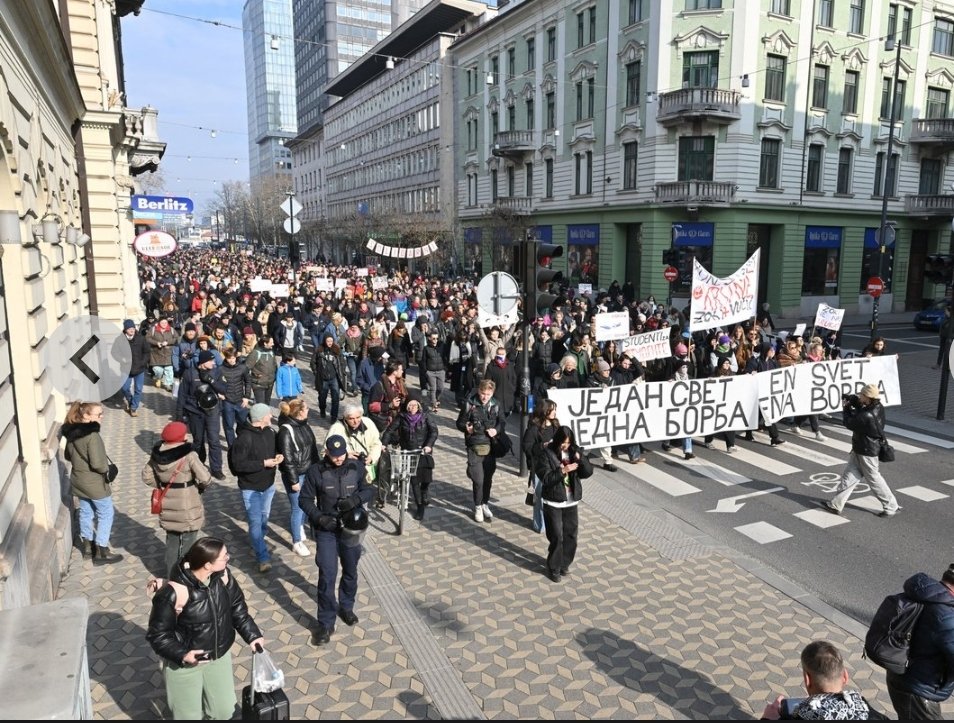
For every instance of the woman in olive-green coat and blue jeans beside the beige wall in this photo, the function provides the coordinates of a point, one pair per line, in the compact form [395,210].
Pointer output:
[86,452]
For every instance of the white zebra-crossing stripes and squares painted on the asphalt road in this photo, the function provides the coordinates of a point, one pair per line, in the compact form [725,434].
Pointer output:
[758,462]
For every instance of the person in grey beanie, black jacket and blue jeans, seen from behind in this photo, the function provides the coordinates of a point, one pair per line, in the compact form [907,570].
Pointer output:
[253,459]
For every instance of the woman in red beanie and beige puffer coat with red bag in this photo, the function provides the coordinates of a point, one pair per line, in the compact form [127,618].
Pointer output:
[175,467]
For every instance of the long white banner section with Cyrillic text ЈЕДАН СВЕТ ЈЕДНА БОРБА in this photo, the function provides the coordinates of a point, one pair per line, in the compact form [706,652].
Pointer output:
[644,412]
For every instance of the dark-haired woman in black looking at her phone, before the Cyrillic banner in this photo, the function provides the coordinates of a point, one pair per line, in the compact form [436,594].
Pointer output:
[561,467]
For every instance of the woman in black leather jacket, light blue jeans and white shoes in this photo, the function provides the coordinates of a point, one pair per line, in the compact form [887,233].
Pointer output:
[299,450]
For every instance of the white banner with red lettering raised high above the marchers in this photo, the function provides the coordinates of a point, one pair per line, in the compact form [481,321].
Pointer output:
[717,302]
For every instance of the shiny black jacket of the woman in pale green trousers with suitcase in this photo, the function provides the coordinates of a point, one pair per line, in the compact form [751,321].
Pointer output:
[208,620]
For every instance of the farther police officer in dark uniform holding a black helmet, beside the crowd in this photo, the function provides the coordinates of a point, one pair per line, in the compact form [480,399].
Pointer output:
[200,394]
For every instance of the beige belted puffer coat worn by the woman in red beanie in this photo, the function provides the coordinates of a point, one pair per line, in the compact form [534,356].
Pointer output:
[182,508]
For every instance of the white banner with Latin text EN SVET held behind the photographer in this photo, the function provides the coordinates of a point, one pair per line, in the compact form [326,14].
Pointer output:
[818,387]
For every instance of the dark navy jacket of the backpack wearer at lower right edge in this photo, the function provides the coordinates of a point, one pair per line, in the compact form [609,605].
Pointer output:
[930,672]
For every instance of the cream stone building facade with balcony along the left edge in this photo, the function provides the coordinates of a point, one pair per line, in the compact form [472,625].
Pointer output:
[69,149]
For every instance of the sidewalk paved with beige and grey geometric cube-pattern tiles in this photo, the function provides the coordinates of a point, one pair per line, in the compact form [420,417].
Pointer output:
[458,619]
